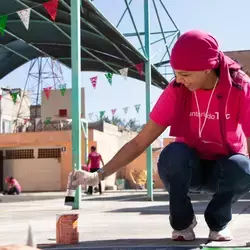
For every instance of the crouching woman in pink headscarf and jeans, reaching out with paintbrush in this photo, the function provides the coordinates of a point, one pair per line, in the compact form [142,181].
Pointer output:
[207,107]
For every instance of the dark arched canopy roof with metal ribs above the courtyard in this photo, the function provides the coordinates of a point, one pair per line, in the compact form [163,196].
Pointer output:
[103,48]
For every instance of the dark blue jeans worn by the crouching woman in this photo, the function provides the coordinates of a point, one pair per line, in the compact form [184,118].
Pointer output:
[181,170]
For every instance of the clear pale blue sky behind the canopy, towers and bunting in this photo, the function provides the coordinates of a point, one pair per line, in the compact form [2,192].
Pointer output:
[227,20]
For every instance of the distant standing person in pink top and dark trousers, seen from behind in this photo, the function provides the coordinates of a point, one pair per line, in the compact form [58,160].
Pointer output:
[95,160]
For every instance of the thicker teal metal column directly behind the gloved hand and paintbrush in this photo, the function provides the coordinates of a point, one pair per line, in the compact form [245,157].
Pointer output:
[76,91]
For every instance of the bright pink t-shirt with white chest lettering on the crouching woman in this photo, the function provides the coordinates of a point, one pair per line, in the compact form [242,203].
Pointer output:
[210,143]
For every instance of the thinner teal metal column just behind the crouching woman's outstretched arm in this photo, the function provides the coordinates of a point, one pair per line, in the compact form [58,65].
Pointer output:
[148,95]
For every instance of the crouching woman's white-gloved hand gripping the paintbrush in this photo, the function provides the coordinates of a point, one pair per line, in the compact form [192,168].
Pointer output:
[82,177]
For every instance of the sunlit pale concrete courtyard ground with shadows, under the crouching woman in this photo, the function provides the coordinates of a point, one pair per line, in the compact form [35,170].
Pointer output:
[115,219]
